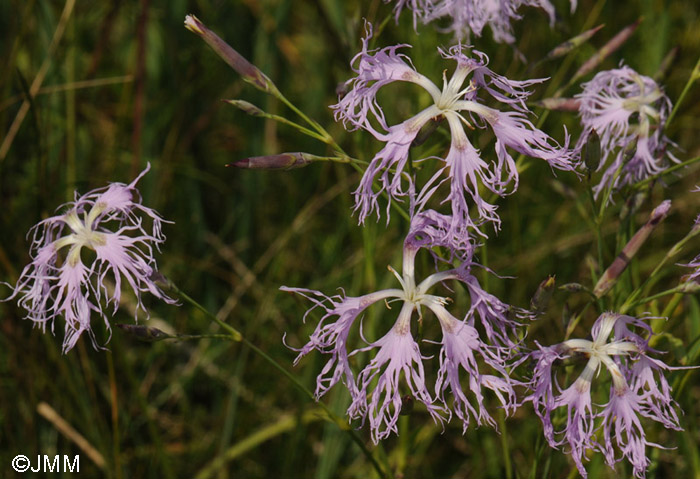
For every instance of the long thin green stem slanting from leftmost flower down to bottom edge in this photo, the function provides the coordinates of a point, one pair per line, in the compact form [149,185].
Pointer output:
[238,337]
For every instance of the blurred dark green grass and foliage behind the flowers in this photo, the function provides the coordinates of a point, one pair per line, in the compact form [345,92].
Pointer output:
[126,84]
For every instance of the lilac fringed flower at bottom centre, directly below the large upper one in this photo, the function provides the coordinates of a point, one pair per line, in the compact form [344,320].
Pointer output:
[375,390]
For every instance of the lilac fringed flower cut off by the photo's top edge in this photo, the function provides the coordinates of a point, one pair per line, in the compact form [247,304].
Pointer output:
[466,17]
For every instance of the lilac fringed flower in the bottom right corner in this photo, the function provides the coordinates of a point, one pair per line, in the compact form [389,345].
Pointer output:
[638,390]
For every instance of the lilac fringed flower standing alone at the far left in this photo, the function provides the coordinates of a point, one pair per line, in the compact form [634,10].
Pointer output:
[101,236]
